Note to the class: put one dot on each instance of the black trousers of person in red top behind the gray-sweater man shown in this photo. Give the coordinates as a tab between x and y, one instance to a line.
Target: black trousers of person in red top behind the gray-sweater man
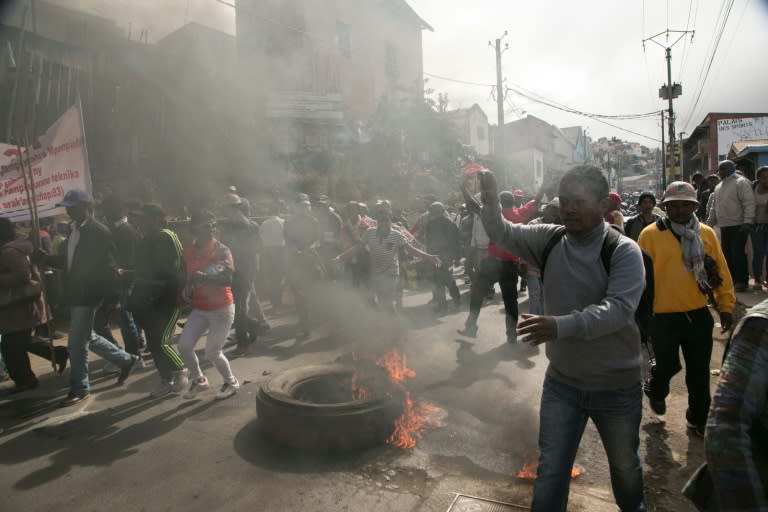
493	270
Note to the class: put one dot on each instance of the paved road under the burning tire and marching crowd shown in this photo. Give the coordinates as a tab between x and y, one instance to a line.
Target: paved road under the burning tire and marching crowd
125	452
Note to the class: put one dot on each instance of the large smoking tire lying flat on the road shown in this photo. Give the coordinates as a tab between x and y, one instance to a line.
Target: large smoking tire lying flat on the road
329	408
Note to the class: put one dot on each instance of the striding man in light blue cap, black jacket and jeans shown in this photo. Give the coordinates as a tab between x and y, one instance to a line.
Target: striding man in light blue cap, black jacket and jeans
90	273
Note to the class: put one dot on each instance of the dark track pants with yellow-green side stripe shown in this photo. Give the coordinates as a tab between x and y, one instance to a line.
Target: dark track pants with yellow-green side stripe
159	326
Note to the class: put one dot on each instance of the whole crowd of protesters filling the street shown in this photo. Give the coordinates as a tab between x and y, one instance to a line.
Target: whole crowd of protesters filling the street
586	267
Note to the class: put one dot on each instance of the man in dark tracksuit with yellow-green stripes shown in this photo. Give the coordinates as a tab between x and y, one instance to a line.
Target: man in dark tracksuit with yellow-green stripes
158	282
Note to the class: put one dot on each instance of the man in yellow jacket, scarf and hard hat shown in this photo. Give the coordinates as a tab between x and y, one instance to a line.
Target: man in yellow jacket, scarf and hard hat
683	251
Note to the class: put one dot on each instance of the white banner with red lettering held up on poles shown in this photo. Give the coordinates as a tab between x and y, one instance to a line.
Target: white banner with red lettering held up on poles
59	162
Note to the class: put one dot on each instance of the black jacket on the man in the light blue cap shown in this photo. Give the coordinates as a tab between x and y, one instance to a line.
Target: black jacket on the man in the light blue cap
93	273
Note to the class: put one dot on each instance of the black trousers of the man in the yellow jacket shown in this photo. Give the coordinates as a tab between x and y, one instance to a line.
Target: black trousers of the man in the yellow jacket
691	332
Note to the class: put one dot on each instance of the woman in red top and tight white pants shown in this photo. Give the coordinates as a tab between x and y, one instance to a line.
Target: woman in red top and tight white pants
209	276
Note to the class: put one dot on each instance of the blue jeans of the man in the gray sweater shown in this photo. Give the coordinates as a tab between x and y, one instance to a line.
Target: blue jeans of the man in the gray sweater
563	416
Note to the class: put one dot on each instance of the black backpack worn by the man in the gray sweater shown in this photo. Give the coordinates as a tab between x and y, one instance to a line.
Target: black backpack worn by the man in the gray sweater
644	311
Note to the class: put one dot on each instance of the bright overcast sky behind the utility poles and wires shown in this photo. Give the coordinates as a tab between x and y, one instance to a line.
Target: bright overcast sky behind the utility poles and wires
588	55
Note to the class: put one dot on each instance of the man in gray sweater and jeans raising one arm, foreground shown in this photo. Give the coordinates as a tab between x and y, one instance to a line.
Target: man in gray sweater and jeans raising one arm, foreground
592	341
